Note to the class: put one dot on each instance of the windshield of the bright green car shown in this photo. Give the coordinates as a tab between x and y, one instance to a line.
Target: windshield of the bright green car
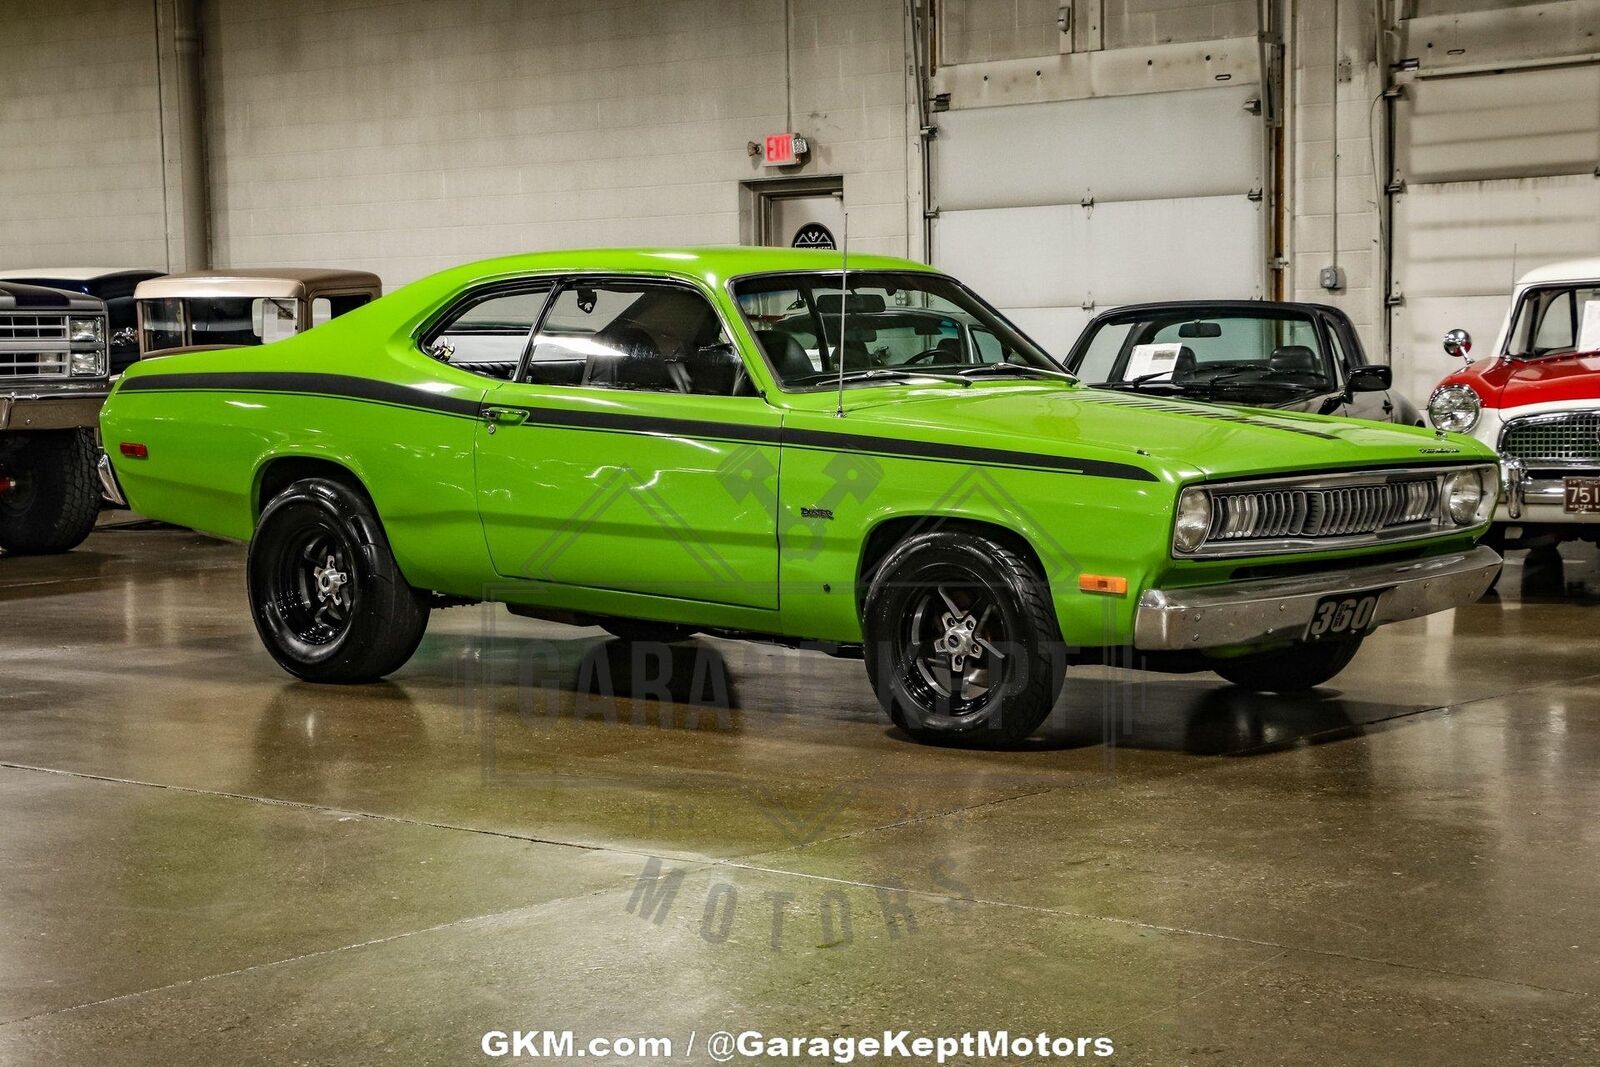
890	327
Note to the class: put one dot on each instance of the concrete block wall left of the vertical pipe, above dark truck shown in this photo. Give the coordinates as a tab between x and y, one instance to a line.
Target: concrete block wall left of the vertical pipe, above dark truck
81	143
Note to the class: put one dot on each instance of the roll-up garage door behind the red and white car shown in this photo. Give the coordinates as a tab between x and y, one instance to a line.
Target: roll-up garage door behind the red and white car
1497	175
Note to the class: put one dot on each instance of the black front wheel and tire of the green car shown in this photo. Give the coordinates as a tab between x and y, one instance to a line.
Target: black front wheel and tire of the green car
962	641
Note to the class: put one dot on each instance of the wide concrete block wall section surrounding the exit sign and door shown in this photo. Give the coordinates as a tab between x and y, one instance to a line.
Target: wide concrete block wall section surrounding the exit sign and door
415	135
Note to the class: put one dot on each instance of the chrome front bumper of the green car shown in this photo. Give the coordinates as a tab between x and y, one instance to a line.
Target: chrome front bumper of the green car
1281	609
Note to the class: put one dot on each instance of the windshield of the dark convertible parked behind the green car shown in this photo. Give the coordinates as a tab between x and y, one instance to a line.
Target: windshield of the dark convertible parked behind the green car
1188	351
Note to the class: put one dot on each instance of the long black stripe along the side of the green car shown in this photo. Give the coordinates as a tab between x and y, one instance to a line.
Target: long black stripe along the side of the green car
348	388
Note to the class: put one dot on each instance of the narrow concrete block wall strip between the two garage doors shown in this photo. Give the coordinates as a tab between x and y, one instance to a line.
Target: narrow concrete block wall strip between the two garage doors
1337	134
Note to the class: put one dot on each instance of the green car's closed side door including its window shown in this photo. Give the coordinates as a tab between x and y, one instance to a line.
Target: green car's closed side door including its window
631	454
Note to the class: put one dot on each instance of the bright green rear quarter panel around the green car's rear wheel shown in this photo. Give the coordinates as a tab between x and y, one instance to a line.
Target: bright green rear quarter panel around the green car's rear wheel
210	446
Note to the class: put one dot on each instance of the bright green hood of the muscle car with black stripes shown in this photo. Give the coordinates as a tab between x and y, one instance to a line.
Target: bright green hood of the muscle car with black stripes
1180	438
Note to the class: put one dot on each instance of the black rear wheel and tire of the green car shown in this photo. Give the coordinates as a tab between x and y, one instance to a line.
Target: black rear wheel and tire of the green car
326	593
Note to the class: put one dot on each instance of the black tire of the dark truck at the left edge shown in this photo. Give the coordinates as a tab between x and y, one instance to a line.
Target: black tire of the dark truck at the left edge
54	497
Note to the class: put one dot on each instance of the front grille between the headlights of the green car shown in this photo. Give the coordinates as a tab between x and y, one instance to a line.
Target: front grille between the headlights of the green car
1322	513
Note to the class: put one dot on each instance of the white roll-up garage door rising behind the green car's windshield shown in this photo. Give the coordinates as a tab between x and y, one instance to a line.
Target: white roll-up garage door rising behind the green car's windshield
1060	210
